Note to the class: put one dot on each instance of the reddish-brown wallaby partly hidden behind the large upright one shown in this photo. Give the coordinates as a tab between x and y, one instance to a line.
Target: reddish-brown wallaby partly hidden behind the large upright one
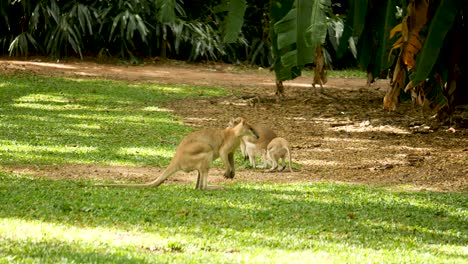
252	147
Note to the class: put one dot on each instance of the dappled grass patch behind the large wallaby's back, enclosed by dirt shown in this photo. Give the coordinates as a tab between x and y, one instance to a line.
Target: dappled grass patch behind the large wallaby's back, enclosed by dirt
60	120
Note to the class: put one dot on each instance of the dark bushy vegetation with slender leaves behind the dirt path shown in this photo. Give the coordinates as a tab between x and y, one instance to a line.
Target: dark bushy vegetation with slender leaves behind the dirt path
130	29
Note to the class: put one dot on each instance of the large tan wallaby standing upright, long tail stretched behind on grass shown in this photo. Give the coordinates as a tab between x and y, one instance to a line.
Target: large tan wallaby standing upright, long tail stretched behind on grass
197	151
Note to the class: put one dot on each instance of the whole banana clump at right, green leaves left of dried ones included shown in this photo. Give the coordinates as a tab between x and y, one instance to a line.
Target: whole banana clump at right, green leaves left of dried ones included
418	43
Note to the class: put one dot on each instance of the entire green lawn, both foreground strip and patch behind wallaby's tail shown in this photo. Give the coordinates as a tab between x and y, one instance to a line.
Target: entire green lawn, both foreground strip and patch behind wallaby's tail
47	120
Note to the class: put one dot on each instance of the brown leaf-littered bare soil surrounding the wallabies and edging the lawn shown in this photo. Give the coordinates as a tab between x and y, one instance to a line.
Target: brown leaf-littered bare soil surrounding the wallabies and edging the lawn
341	134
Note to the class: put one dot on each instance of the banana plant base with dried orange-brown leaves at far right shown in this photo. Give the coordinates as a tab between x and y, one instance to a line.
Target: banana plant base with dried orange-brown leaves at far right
430	45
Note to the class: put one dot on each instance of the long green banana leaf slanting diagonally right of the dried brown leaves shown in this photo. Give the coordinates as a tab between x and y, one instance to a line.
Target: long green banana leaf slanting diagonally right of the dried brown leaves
440	25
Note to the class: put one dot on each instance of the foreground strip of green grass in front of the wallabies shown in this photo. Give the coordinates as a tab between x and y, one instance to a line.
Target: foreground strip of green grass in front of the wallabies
50	221
